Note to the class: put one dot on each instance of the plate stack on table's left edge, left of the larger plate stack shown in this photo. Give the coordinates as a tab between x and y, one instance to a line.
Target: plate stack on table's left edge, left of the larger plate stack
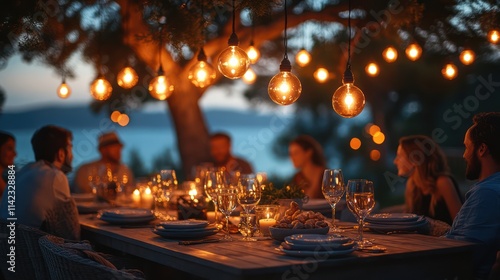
126	215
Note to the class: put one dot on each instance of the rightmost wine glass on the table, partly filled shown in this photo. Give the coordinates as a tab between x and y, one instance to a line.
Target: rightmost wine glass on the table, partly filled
360	196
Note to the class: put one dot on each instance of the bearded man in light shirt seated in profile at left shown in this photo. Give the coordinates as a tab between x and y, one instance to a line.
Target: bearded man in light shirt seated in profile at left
42	189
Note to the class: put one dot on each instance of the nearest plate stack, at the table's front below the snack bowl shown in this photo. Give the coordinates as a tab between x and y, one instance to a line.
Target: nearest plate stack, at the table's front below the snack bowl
314	245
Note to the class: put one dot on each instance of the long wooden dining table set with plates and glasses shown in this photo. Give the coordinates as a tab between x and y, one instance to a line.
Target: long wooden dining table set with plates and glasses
408	256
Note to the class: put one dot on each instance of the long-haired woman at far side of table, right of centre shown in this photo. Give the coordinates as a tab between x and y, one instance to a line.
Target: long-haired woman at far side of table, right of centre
307	156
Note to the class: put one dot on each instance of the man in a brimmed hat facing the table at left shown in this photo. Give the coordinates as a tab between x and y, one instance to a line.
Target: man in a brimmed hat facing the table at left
110	148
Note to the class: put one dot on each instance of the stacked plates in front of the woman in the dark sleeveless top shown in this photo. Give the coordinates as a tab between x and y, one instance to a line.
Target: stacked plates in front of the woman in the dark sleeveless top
387	222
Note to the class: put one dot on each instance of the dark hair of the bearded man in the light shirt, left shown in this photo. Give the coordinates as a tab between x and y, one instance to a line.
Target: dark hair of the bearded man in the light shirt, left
47	141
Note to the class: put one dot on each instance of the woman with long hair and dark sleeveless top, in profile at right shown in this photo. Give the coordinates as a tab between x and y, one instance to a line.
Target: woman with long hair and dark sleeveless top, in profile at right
430	190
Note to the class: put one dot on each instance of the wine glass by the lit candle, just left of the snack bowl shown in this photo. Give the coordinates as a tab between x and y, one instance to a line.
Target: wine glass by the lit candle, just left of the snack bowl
249	194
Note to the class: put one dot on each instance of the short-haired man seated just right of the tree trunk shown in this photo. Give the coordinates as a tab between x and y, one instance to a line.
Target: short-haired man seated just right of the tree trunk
220	151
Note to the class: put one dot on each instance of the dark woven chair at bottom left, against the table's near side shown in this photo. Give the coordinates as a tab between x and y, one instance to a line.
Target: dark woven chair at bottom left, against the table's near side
66	263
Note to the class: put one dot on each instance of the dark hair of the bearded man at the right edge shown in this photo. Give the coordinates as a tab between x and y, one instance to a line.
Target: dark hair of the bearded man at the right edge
486	129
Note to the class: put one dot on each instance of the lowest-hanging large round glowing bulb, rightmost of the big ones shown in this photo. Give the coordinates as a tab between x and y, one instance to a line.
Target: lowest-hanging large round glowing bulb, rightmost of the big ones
348	100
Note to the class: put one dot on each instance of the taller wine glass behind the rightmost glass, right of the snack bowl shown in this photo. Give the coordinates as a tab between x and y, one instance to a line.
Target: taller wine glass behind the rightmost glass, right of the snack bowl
333	189
